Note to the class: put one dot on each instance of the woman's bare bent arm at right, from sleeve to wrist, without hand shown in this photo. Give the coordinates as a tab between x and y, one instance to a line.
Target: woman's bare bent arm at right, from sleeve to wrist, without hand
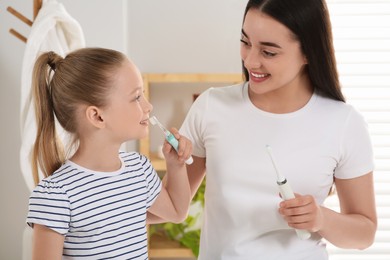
355	226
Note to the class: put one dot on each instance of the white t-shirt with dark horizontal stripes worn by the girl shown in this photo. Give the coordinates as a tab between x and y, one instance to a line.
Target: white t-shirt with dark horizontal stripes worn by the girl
102	215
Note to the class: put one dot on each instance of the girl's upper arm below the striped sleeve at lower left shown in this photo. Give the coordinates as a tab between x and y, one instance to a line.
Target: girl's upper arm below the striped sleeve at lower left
47	244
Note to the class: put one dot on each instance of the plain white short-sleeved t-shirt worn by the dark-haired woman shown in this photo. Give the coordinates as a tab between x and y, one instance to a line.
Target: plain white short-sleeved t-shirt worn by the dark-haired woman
325	138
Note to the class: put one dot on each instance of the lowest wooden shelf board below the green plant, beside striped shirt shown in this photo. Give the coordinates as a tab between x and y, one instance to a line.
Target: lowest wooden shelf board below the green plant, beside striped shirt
163	247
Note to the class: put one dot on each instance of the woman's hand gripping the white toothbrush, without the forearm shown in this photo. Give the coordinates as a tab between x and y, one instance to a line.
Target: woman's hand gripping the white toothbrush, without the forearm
302	212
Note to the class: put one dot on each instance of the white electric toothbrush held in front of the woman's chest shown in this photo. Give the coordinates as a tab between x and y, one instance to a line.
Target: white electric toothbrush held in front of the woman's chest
286	191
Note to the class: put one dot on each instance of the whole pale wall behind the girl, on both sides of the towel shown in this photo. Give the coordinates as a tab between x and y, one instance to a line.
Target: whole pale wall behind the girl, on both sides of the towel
159	36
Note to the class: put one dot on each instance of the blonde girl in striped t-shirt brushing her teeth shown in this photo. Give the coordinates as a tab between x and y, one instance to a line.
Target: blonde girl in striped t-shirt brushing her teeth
94	203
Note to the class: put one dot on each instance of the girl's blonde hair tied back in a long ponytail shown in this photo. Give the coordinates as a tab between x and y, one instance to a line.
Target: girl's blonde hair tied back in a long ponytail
59	86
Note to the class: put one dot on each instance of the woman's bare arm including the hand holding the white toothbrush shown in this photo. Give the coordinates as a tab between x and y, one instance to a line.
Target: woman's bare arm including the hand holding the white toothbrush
354	227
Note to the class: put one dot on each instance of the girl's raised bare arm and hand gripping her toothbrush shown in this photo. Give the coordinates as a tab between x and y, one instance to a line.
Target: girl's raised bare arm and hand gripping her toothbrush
174	199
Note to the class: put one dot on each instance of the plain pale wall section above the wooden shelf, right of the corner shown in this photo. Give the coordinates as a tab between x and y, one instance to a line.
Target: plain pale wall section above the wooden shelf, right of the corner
185	36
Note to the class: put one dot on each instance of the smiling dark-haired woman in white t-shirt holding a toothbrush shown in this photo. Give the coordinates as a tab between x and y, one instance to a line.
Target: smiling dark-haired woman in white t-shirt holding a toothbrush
291	100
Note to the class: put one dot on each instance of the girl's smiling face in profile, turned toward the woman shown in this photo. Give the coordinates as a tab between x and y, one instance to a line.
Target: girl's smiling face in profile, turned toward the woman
128	111
